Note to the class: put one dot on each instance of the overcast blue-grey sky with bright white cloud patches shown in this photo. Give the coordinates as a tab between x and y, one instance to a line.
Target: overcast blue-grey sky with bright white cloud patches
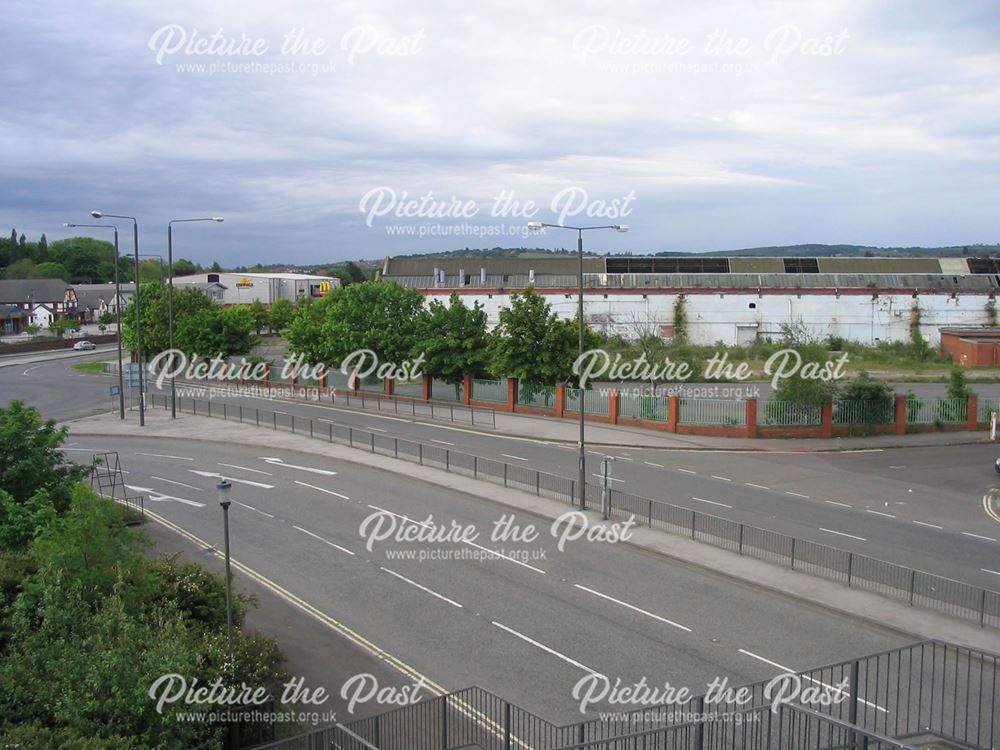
323	131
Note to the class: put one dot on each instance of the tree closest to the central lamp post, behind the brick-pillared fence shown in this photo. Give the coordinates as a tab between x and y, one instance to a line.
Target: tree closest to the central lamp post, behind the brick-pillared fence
534	345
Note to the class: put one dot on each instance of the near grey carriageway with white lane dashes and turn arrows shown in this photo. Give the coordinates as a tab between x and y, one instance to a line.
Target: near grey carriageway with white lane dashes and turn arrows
527	625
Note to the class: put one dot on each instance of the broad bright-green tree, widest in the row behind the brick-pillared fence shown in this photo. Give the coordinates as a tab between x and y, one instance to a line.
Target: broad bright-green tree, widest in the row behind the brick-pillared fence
379	316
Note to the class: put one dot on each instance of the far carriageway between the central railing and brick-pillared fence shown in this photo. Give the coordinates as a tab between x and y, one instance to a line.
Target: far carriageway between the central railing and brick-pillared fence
921	507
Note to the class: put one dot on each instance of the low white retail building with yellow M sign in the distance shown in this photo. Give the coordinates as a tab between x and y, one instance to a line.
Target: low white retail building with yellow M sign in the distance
245	288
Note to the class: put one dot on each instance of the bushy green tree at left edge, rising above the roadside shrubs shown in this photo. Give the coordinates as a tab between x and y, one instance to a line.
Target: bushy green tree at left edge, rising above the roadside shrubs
30	459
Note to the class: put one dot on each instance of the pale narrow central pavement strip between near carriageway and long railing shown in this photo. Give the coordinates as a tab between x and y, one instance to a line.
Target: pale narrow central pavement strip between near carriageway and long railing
757	574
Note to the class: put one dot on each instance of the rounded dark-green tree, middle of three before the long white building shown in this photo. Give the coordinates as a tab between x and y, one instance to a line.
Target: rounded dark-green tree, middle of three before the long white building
453	340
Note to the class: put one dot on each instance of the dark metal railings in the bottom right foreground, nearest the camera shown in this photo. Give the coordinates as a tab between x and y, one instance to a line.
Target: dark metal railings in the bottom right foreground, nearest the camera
901	698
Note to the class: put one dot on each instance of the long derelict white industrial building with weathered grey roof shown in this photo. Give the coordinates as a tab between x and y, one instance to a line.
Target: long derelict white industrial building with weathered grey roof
729	300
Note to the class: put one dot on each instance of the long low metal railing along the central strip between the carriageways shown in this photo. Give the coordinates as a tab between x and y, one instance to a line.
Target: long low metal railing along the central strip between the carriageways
915	587
